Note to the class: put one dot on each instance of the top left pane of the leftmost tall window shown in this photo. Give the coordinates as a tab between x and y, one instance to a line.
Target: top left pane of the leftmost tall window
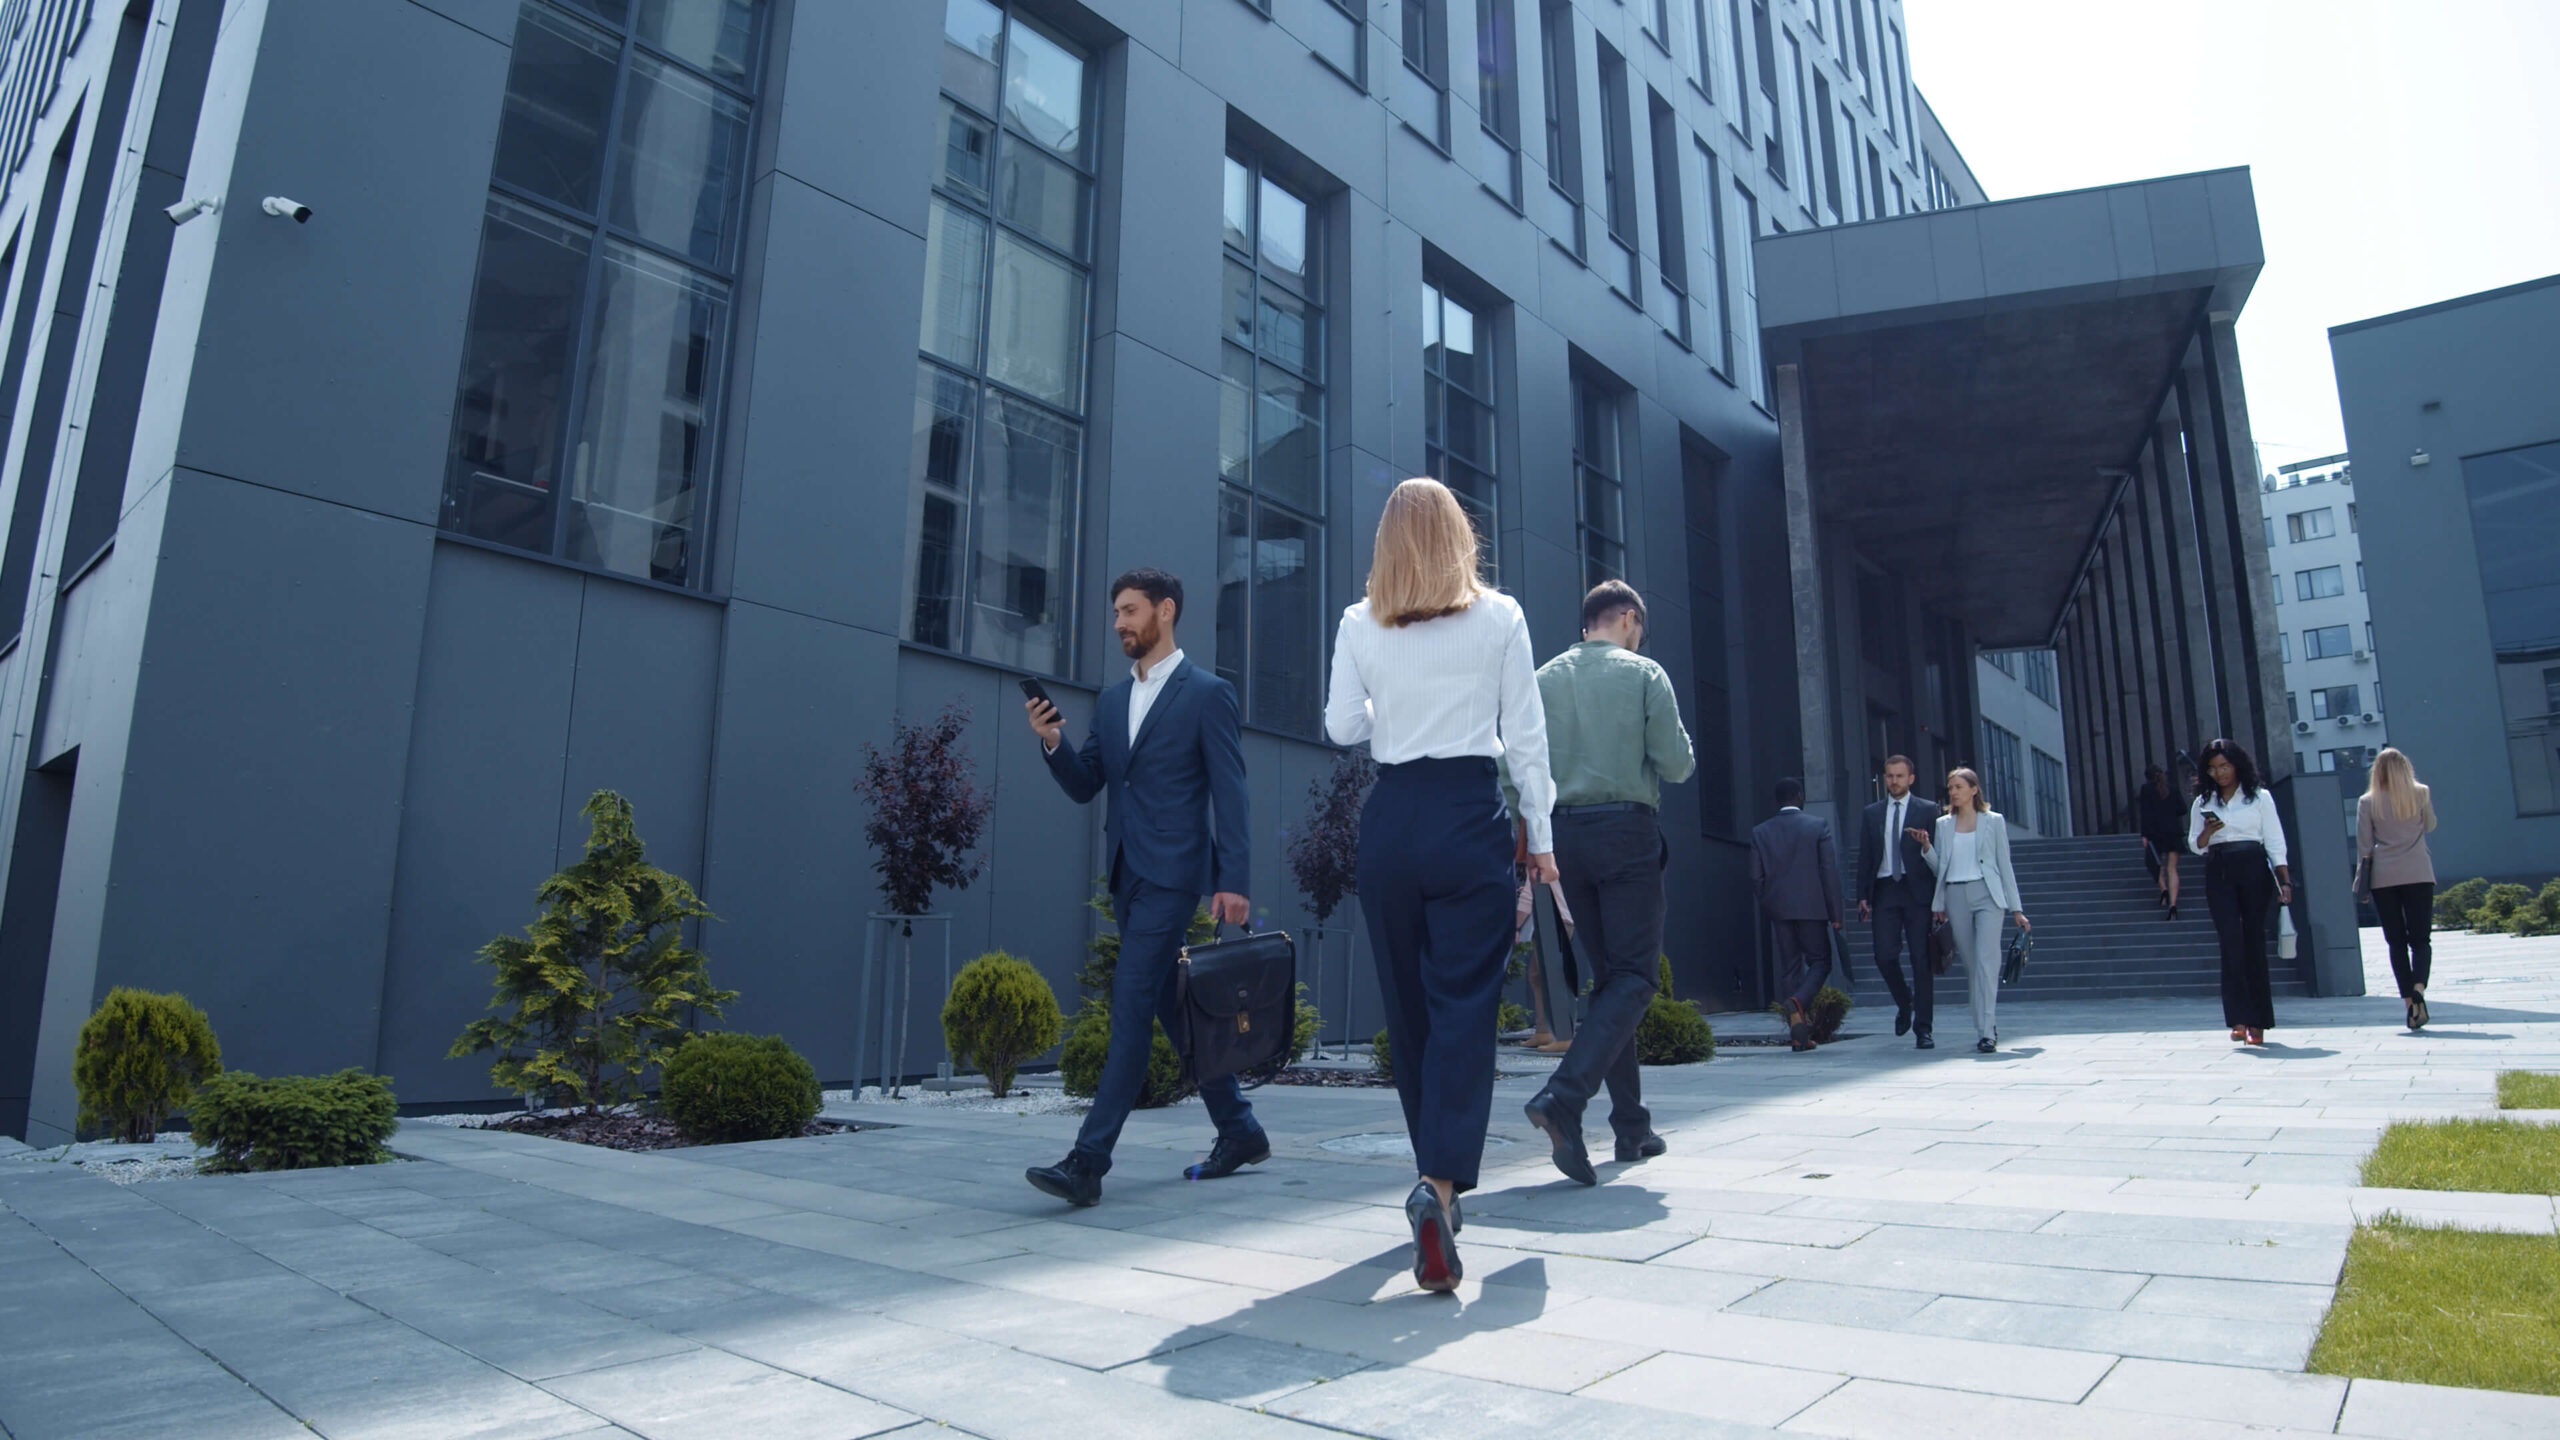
559	96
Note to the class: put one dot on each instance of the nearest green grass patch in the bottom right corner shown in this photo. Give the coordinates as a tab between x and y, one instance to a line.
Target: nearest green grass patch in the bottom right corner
2446	1308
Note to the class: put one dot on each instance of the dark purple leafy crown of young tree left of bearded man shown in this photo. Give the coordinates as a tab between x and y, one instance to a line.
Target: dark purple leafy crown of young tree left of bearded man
925	811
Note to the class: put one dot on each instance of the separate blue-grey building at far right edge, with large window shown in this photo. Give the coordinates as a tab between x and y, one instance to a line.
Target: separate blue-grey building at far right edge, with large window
2454	427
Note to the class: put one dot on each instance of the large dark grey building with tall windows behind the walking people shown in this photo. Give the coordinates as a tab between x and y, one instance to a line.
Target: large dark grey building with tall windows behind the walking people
667	396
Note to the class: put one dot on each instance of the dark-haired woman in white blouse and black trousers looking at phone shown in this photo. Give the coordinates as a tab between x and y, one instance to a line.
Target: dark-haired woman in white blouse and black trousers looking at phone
2236	829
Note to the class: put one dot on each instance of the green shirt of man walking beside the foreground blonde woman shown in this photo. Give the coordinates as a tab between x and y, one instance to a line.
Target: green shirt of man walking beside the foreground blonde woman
1612	726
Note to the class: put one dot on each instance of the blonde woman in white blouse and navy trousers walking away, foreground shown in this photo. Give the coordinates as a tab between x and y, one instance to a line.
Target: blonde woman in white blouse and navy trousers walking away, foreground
1435	673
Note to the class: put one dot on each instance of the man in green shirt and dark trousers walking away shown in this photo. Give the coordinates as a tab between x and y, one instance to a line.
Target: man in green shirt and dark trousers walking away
1612	739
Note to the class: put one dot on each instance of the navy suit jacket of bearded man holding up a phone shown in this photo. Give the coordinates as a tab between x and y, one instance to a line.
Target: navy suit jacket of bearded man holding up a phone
1179	814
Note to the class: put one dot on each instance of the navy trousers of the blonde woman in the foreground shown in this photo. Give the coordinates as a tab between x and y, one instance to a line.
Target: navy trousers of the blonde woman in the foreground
1437	893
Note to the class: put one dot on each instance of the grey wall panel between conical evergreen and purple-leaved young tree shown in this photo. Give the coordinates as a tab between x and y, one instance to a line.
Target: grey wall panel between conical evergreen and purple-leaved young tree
787	867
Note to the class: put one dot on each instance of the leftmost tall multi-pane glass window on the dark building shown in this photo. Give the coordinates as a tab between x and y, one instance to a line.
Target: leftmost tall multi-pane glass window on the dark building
588	416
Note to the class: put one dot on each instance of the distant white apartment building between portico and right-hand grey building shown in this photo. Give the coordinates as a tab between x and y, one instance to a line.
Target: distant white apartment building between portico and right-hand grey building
2333	688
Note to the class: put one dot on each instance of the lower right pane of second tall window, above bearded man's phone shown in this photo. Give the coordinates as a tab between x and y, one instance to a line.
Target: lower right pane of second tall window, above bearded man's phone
1023	537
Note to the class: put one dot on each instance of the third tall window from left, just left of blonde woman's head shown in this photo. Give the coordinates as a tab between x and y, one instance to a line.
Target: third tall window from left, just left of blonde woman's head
1271	452
